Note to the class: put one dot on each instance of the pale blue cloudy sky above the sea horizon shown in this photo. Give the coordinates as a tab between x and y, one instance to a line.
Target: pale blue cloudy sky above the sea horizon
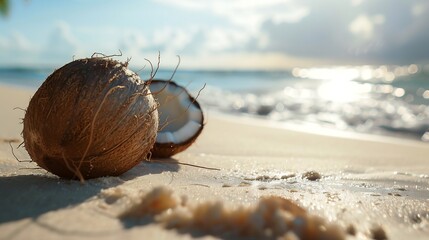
217	34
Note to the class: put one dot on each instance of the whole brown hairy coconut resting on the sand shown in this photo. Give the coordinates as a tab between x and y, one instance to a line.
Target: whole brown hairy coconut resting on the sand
91	118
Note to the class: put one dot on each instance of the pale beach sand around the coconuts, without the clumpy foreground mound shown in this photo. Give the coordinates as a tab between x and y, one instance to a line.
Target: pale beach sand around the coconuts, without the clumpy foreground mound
366	184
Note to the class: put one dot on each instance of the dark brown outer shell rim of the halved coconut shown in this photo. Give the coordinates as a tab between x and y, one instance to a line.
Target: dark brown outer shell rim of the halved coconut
166	150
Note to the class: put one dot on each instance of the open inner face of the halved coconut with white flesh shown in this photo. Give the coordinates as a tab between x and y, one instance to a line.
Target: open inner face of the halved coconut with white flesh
179	118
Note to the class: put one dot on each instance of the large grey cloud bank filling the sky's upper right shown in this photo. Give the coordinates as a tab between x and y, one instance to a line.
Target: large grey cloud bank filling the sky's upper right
352	32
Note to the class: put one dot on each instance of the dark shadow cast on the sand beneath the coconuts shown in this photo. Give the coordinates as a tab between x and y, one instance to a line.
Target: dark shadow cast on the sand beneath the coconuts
29	196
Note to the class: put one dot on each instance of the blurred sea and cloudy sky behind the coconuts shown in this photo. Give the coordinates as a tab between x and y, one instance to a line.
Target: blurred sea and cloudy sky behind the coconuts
353	65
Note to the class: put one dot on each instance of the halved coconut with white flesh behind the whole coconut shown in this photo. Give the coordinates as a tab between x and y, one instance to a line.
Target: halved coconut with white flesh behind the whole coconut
181	119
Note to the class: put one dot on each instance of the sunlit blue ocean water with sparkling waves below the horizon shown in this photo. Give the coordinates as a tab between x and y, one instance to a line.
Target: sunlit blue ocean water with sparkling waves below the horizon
380	100
